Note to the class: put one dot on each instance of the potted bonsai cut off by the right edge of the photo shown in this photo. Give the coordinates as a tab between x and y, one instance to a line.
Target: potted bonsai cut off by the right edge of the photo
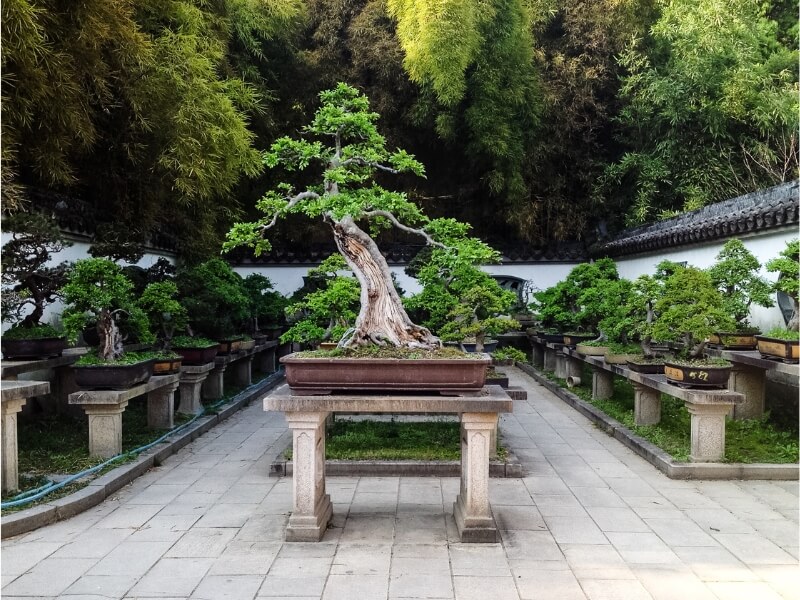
784	342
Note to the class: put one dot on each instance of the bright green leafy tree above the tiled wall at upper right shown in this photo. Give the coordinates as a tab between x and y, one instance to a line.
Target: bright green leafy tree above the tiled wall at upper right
710	107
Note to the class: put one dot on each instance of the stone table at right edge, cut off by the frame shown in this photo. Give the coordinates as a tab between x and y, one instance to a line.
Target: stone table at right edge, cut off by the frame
749	377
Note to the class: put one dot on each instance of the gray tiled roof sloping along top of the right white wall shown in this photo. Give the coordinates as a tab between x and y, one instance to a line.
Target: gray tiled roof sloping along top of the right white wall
755	212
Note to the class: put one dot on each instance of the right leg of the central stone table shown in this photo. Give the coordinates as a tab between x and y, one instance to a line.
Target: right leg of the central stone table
471	510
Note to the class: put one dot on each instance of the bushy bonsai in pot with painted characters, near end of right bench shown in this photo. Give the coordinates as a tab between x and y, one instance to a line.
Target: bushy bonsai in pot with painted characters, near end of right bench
689	310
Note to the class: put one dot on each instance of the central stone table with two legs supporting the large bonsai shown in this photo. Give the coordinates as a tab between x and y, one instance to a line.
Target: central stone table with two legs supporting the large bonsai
306	415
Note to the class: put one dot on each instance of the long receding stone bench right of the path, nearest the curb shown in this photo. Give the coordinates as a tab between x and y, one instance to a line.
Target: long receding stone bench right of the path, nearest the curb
707	408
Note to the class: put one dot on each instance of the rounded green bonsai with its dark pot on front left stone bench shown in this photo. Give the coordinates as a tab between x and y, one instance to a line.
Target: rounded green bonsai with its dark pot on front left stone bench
98	291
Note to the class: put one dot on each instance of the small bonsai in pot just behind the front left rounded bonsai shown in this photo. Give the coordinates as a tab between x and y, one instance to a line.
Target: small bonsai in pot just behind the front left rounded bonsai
165	315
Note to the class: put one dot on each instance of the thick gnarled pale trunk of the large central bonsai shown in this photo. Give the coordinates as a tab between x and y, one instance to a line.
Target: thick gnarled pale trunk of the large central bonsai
382	319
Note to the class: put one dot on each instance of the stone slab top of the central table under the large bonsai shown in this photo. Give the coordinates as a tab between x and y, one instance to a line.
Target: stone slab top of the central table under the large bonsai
493	399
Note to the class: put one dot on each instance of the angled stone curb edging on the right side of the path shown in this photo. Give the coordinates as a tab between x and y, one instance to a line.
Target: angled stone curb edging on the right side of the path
655	455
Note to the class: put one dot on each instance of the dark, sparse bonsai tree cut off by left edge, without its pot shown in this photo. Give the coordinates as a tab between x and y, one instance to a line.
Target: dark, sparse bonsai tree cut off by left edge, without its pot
29	283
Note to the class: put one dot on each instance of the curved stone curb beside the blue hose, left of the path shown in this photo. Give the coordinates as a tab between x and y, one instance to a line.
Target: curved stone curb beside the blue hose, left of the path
104	486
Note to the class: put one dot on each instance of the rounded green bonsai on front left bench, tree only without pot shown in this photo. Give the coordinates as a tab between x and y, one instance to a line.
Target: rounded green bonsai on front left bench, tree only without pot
98	291
